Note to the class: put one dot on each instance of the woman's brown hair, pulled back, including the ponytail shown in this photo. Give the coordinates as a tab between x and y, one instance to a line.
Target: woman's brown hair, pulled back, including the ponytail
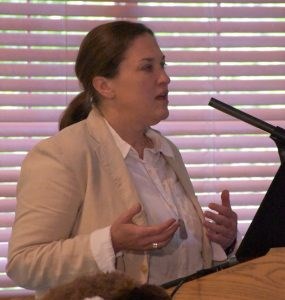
100	54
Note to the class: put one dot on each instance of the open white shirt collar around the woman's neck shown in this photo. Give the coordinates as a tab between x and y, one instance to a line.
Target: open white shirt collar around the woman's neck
160	144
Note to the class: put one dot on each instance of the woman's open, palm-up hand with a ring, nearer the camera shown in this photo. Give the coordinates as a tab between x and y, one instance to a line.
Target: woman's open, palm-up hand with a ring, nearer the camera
126	235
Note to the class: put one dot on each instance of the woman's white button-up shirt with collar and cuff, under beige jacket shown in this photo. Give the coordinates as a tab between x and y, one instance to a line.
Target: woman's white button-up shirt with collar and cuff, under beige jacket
162	197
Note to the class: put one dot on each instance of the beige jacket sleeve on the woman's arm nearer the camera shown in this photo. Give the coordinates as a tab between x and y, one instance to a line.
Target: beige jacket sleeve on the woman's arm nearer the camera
42	250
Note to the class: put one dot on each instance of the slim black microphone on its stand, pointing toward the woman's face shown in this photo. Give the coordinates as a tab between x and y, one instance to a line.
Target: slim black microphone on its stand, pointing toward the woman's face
277	134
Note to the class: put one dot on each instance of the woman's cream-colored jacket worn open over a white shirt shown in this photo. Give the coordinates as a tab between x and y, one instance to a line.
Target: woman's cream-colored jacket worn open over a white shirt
70	185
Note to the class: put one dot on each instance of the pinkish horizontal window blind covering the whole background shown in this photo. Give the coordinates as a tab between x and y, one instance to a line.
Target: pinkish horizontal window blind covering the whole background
231	50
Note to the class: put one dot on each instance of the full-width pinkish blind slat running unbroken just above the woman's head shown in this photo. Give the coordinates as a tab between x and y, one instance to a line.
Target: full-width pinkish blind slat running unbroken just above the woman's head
136	11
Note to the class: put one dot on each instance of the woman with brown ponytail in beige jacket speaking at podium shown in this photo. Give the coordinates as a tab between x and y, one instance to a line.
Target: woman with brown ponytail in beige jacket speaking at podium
108	192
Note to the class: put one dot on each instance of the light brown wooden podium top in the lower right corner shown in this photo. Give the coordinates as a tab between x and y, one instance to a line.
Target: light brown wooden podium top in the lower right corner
262	278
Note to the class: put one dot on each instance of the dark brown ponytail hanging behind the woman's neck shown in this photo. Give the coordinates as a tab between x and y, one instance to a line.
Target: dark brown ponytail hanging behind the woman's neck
77	110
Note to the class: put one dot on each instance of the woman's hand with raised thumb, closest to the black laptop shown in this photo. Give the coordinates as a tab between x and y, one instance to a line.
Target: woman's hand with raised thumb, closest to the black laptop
221	225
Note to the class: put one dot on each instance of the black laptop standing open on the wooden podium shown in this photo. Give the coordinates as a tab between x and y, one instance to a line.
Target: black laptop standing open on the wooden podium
266	231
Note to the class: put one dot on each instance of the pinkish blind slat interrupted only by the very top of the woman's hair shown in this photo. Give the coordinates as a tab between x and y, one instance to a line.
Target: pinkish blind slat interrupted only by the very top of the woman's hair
158	26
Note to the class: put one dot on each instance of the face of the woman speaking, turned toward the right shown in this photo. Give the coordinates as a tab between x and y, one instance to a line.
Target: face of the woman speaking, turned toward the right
140	88
